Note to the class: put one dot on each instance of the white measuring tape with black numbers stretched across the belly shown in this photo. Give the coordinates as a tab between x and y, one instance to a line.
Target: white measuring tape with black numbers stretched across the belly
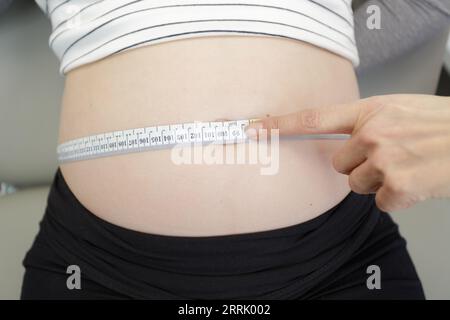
159	137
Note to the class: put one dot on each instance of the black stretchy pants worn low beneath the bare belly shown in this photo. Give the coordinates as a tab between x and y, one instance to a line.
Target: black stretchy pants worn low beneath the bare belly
324	258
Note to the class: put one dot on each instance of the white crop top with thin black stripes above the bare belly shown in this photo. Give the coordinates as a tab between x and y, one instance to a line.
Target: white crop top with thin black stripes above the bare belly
88	30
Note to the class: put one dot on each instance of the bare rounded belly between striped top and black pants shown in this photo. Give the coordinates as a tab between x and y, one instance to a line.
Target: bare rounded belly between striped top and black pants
204	79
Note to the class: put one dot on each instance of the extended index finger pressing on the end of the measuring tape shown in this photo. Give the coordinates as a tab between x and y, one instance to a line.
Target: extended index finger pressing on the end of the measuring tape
335	119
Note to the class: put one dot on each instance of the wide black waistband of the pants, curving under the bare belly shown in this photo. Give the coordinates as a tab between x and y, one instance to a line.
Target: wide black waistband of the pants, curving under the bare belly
275	264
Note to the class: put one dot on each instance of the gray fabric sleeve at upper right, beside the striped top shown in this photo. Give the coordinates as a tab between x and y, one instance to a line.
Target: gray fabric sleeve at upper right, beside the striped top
405	25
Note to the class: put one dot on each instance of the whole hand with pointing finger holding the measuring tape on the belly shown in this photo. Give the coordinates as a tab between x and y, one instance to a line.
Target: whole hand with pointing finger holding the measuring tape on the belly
399	146
